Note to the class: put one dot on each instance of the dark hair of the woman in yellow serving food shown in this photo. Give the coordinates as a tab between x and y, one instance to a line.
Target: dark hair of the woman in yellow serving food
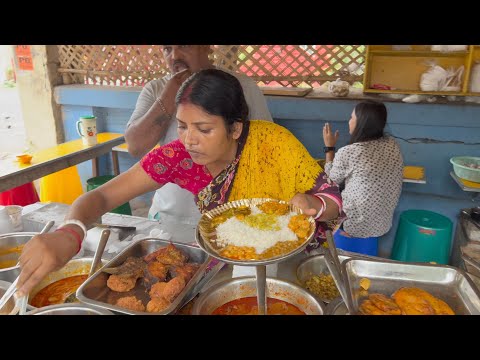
217	93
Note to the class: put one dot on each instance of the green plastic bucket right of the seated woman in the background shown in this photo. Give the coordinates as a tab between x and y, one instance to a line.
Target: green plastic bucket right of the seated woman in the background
423	236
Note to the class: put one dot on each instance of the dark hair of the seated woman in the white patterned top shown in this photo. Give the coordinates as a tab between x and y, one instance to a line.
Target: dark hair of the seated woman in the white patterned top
371	119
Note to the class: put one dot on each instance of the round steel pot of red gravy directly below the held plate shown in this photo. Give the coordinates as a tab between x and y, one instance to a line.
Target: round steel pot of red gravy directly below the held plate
238	297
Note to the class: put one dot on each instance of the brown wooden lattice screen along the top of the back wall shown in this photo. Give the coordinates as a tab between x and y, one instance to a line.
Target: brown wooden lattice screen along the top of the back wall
270	65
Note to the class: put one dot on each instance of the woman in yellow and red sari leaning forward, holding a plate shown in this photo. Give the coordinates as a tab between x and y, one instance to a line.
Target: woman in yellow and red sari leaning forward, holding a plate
219	157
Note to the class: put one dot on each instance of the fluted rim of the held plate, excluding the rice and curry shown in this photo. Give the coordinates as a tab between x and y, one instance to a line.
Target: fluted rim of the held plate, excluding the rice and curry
206	234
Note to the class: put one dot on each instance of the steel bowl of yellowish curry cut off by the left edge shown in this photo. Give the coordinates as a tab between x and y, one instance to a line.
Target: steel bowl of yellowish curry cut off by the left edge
11	245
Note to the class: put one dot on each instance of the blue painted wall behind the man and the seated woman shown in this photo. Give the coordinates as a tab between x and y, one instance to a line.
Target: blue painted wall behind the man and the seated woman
305	118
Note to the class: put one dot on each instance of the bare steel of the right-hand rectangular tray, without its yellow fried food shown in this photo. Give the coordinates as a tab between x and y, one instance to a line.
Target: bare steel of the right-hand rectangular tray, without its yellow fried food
448	283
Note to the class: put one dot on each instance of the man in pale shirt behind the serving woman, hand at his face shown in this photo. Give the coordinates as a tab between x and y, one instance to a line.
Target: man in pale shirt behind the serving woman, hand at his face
152	123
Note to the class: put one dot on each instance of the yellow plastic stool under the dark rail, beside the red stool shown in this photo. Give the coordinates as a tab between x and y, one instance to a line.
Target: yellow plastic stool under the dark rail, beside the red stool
64	186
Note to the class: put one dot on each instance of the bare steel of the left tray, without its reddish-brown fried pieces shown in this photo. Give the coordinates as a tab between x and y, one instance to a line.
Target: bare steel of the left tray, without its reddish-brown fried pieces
94	291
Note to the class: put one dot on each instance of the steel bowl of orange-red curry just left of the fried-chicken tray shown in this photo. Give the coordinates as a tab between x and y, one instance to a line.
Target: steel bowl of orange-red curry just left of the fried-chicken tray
57	286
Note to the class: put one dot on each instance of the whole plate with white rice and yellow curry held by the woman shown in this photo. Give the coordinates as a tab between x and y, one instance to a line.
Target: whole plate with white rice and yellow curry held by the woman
253	232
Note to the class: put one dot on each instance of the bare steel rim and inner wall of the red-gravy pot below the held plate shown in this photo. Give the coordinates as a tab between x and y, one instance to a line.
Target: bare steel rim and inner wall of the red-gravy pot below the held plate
242	287
